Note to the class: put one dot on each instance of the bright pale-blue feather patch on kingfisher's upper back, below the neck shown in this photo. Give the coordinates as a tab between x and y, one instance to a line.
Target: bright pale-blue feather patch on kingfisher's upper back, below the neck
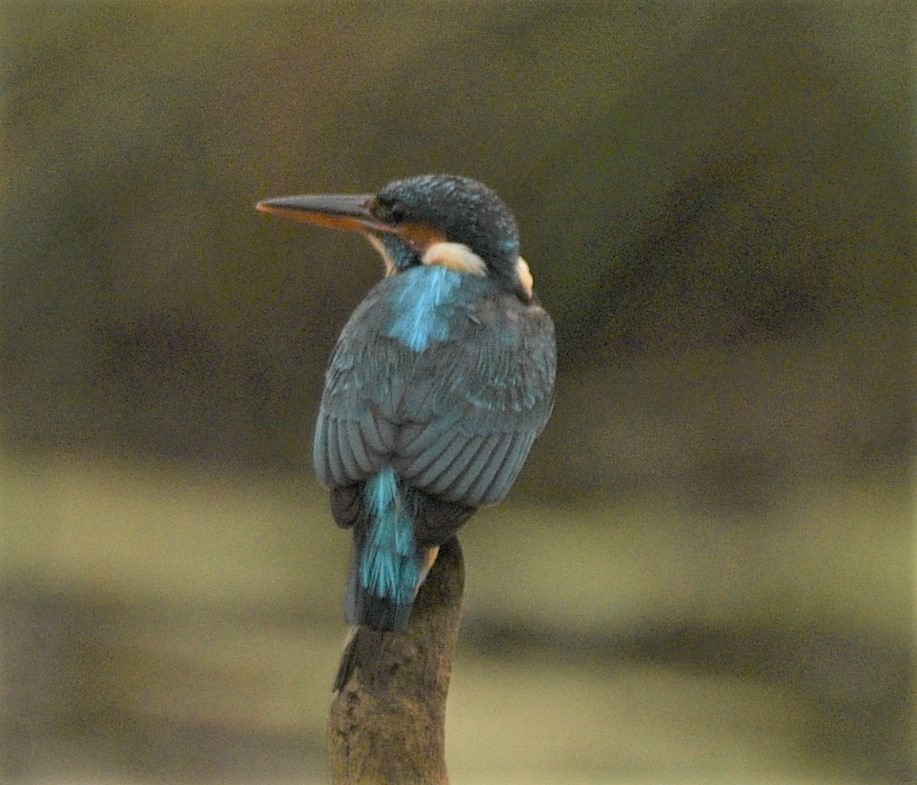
419	318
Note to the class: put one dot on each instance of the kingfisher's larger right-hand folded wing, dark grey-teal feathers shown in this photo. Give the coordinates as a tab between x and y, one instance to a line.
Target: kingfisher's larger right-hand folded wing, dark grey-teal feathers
471	414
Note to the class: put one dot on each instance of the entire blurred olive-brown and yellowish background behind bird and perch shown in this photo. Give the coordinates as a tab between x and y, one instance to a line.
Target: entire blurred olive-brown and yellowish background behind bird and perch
705	574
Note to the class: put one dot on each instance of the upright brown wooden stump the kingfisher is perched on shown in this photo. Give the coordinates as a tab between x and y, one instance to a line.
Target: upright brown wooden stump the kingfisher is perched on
387	720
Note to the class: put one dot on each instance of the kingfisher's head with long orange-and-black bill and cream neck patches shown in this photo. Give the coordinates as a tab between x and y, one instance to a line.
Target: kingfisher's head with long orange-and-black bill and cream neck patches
431	219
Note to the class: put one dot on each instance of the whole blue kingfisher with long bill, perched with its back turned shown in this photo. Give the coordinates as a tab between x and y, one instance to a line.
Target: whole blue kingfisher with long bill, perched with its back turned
438	385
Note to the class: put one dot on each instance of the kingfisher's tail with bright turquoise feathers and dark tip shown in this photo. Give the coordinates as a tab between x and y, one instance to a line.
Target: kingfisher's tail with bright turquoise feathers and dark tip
386	565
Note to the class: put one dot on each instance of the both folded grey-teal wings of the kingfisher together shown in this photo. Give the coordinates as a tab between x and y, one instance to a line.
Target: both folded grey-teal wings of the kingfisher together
456	420
